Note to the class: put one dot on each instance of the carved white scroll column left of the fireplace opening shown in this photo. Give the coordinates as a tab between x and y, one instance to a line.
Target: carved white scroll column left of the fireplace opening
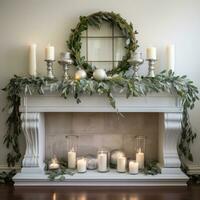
33	126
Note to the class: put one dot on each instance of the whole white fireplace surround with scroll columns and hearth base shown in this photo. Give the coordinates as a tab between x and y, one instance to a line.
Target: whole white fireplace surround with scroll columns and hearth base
170	113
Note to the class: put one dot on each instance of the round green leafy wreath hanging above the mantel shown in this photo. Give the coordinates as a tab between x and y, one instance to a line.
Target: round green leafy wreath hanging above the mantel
96	19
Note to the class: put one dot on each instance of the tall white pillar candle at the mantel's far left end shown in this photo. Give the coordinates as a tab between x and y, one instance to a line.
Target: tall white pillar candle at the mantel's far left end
32	59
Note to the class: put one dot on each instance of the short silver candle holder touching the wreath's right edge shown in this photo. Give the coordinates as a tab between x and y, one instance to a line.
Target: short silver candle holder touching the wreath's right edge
135	61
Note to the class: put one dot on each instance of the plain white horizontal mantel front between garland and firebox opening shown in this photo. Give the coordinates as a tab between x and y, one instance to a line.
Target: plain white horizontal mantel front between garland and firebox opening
152	103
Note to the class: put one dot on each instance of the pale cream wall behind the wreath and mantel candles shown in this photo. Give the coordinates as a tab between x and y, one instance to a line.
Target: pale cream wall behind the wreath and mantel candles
158	22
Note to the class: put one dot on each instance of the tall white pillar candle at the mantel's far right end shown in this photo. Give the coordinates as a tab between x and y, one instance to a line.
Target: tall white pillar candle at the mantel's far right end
170	51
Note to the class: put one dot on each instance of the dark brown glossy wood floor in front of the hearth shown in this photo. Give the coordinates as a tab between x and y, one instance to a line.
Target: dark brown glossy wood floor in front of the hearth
101	193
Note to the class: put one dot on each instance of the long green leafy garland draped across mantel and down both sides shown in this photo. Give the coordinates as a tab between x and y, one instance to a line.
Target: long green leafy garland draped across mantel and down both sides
162	82
